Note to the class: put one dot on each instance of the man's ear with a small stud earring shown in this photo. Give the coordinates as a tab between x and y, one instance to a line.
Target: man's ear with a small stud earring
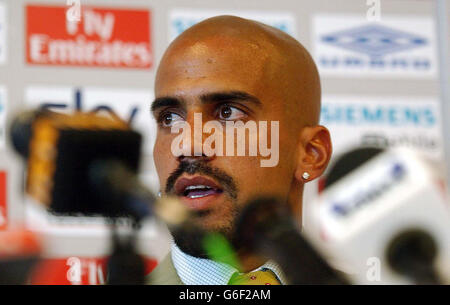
314	152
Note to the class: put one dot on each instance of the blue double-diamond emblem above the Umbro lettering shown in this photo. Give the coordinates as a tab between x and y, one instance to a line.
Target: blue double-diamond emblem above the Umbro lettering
374	40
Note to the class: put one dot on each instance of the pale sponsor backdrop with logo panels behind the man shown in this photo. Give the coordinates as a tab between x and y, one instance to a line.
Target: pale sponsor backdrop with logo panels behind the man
379	82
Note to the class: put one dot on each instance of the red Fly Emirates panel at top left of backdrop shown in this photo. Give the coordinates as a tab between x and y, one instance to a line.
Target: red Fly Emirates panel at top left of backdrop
104	37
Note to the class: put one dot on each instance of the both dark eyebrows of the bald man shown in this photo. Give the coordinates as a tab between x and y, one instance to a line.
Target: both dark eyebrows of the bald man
214	97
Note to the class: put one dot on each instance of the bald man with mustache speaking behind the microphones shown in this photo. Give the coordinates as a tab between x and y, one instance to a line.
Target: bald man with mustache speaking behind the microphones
231	69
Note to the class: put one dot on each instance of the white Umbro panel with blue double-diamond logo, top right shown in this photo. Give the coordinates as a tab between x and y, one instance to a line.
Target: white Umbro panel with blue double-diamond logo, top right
375	47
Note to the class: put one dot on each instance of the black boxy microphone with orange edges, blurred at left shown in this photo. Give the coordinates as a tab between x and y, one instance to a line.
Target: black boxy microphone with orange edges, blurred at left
60	151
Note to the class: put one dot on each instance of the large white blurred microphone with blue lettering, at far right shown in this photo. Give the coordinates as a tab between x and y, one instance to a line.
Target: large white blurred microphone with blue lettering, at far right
384	218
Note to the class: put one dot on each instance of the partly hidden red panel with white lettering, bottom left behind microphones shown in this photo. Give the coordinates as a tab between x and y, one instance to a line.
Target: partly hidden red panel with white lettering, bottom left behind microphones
76	271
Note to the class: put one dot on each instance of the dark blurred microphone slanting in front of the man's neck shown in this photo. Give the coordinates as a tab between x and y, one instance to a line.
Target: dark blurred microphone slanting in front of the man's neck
265	227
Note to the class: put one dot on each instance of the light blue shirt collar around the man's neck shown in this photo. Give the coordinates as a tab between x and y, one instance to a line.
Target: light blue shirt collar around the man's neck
200	271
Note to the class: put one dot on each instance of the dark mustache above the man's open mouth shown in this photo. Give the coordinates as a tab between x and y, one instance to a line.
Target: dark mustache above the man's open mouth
200	167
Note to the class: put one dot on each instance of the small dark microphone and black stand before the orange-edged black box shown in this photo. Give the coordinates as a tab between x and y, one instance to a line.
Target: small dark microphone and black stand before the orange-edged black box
127	197
